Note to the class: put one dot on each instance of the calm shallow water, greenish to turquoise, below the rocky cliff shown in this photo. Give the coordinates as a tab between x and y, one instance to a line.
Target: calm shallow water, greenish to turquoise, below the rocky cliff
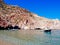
31	37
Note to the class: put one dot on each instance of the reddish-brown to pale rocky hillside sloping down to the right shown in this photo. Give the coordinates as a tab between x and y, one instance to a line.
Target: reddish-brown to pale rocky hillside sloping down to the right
16	16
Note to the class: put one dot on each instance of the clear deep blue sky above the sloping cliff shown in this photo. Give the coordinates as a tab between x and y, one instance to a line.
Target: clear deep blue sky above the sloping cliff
45	8
